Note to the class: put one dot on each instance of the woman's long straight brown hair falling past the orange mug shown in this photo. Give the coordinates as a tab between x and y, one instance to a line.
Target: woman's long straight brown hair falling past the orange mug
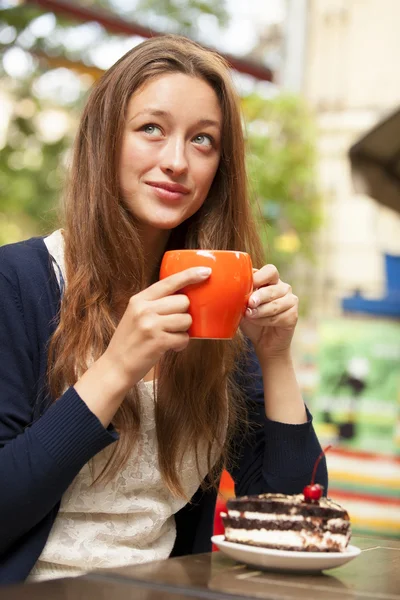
197	399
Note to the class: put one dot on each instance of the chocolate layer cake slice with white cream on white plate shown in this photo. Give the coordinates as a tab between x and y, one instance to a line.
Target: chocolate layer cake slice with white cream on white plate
285	522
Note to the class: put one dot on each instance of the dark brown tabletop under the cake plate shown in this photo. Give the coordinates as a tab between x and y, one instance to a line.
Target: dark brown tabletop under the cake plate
373	575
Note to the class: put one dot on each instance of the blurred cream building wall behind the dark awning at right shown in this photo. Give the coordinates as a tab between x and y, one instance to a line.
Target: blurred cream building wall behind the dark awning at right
343	57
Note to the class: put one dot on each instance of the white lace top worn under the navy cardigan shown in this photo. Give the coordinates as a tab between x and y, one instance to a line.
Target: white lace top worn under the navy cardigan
129	520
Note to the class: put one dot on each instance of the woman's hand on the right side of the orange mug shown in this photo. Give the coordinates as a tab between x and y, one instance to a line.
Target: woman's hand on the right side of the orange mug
272	314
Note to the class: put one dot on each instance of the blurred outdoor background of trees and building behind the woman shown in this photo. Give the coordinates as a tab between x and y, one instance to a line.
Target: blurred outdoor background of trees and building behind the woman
320	88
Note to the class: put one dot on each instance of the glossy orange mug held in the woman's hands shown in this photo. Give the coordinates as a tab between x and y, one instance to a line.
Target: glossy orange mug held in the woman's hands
218	304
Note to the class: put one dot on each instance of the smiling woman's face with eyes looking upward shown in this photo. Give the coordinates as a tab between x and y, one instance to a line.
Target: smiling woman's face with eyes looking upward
170	149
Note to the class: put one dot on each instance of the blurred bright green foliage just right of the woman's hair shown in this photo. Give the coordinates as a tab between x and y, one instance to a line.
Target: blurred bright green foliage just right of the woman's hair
282	175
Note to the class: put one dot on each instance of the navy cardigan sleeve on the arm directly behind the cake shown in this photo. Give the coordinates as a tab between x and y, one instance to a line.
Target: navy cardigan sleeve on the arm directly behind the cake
272	456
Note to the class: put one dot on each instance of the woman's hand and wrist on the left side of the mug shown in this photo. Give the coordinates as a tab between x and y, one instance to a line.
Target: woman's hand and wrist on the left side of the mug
155	320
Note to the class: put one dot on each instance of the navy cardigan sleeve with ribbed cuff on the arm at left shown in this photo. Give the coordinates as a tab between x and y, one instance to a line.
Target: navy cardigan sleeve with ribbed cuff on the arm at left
38	460
